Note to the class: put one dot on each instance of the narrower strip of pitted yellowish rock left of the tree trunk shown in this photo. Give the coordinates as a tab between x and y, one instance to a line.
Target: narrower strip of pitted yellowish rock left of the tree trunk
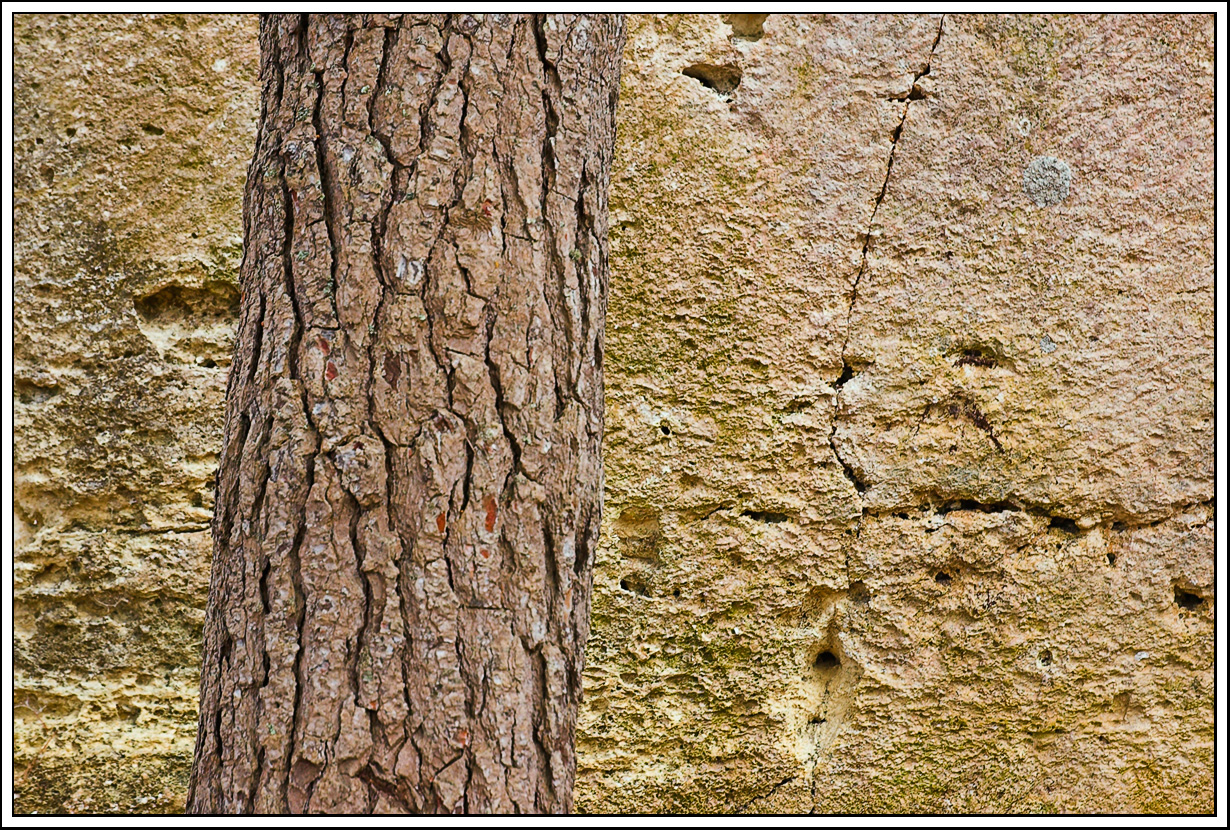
132	137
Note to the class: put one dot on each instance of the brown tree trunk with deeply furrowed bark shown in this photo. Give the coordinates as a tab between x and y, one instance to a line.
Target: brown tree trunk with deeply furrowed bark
410	488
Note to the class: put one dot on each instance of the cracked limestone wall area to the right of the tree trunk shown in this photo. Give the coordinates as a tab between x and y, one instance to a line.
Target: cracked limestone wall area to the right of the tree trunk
910	436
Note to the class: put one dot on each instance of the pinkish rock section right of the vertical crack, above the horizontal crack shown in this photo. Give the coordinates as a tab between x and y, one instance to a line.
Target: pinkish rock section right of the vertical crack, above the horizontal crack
1114	421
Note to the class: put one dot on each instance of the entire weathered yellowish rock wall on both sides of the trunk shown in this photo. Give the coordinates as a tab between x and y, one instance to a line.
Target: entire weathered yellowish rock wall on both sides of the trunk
910	472
